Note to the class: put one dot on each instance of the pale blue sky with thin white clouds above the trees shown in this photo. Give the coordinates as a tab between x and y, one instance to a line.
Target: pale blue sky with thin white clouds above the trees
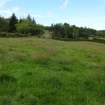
85	13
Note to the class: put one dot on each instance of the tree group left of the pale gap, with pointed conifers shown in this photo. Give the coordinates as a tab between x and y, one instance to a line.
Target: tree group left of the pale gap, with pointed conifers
24	26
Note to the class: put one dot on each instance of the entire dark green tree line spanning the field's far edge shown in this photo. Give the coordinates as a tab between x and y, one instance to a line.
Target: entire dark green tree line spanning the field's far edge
28	27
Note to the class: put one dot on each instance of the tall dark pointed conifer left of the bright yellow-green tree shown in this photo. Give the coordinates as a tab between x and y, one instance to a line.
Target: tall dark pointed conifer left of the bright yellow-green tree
12	23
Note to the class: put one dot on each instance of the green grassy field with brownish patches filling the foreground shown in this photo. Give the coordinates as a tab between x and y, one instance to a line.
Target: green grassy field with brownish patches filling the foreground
48	72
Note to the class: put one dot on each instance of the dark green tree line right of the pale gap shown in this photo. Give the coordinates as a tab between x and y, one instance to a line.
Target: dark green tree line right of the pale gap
68	31
